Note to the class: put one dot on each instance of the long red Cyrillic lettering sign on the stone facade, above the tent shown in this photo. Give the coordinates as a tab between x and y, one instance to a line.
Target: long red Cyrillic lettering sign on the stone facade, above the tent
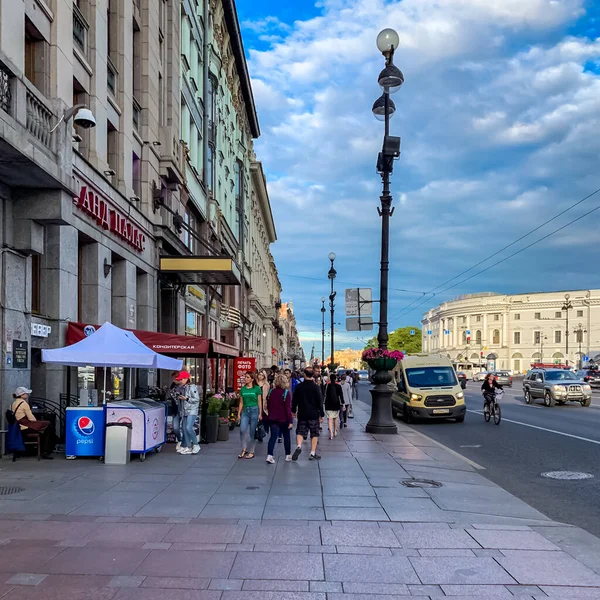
92	202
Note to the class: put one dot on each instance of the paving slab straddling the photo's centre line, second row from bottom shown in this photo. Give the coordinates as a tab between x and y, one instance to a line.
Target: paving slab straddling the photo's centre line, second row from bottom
269	565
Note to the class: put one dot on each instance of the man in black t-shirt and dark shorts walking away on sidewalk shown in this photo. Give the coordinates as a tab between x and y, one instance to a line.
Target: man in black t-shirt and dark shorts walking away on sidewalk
307	405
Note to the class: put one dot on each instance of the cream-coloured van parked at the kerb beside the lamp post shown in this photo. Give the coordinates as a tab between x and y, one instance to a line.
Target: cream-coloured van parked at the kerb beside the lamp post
428	389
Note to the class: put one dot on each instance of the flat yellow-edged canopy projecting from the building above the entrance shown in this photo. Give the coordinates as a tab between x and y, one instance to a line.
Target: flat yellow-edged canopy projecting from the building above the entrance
216	270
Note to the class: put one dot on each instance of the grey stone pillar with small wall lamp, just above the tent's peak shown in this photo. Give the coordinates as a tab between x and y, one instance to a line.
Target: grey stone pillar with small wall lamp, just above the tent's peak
95	287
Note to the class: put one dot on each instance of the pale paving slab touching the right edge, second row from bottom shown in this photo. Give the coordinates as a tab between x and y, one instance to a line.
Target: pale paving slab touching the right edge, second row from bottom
531	567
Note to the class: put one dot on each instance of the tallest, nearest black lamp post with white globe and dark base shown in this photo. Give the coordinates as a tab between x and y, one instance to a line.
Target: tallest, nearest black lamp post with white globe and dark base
390	80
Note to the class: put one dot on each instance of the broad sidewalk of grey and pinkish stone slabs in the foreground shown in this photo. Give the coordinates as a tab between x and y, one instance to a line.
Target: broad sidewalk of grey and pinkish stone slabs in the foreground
212	527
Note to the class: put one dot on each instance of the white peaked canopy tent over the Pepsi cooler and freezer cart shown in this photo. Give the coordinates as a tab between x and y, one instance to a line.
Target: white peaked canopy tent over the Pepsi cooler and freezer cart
110	346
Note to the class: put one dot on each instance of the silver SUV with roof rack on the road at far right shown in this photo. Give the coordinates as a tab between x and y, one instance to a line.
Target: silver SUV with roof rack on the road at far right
556	386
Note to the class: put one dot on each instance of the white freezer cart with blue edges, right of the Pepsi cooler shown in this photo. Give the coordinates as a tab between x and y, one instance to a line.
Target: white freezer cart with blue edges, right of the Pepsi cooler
148	423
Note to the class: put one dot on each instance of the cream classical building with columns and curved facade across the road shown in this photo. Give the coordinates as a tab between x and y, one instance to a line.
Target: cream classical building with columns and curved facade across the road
497	331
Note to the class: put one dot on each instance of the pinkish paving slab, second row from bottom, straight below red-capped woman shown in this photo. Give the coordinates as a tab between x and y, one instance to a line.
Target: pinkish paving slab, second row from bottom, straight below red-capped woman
176	563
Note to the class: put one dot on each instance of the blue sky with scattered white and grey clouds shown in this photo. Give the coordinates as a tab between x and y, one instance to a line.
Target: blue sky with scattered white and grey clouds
499	118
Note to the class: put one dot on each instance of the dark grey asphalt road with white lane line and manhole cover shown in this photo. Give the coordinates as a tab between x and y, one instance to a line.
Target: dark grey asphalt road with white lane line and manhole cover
529	441
